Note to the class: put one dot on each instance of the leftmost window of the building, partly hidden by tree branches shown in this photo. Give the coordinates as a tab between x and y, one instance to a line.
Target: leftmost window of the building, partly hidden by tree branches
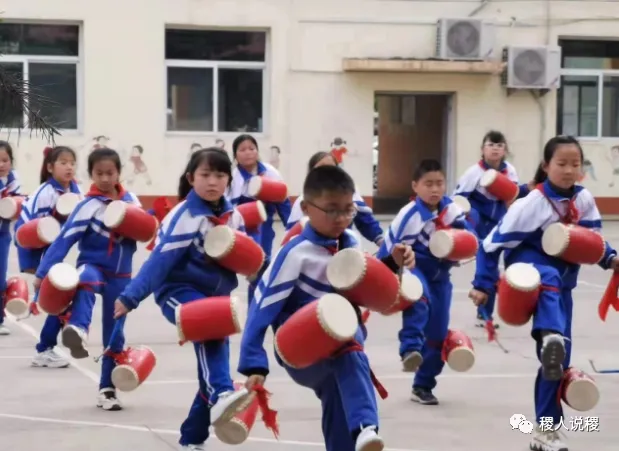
46	57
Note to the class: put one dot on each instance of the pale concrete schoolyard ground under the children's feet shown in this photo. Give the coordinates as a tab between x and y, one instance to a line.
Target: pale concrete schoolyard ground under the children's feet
54	410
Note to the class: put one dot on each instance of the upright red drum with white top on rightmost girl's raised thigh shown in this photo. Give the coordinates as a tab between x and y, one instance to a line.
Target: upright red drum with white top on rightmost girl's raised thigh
517	293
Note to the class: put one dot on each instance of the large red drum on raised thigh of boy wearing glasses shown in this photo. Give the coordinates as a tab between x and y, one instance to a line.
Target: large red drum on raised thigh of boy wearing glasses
316	331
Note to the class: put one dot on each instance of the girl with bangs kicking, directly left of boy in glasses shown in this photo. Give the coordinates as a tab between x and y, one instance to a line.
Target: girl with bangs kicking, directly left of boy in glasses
178	273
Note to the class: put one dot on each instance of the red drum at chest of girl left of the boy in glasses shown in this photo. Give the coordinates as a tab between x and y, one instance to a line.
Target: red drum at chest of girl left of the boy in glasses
234	250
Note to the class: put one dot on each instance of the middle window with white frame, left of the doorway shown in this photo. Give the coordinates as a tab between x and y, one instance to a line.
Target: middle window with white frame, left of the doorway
215	80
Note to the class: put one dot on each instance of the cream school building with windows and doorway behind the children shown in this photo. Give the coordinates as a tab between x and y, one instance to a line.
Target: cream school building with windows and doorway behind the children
389	82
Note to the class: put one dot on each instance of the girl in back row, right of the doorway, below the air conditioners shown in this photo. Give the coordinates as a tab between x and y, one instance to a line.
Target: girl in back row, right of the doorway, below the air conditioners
486	209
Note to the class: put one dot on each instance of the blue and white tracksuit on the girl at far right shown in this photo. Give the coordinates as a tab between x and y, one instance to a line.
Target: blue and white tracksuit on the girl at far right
519	233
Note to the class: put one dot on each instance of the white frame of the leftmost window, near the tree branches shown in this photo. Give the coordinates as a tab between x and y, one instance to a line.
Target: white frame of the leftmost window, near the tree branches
25	60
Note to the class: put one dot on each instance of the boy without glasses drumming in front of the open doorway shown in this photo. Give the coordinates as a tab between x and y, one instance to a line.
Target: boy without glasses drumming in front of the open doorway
414	225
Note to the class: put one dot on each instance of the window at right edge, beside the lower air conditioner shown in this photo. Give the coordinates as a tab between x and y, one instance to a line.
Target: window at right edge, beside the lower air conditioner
588	100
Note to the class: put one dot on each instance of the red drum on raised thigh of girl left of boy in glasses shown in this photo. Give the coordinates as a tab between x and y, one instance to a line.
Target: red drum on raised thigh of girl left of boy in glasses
209	319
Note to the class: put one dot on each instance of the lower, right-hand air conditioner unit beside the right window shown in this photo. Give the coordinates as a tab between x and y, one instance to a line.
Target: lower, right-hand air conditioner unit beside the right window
532	67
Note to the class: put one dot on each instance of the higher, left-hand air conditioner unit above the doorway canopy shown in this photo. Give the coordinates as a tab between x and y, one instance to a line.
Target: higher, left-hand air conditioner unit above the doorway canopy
464	39
